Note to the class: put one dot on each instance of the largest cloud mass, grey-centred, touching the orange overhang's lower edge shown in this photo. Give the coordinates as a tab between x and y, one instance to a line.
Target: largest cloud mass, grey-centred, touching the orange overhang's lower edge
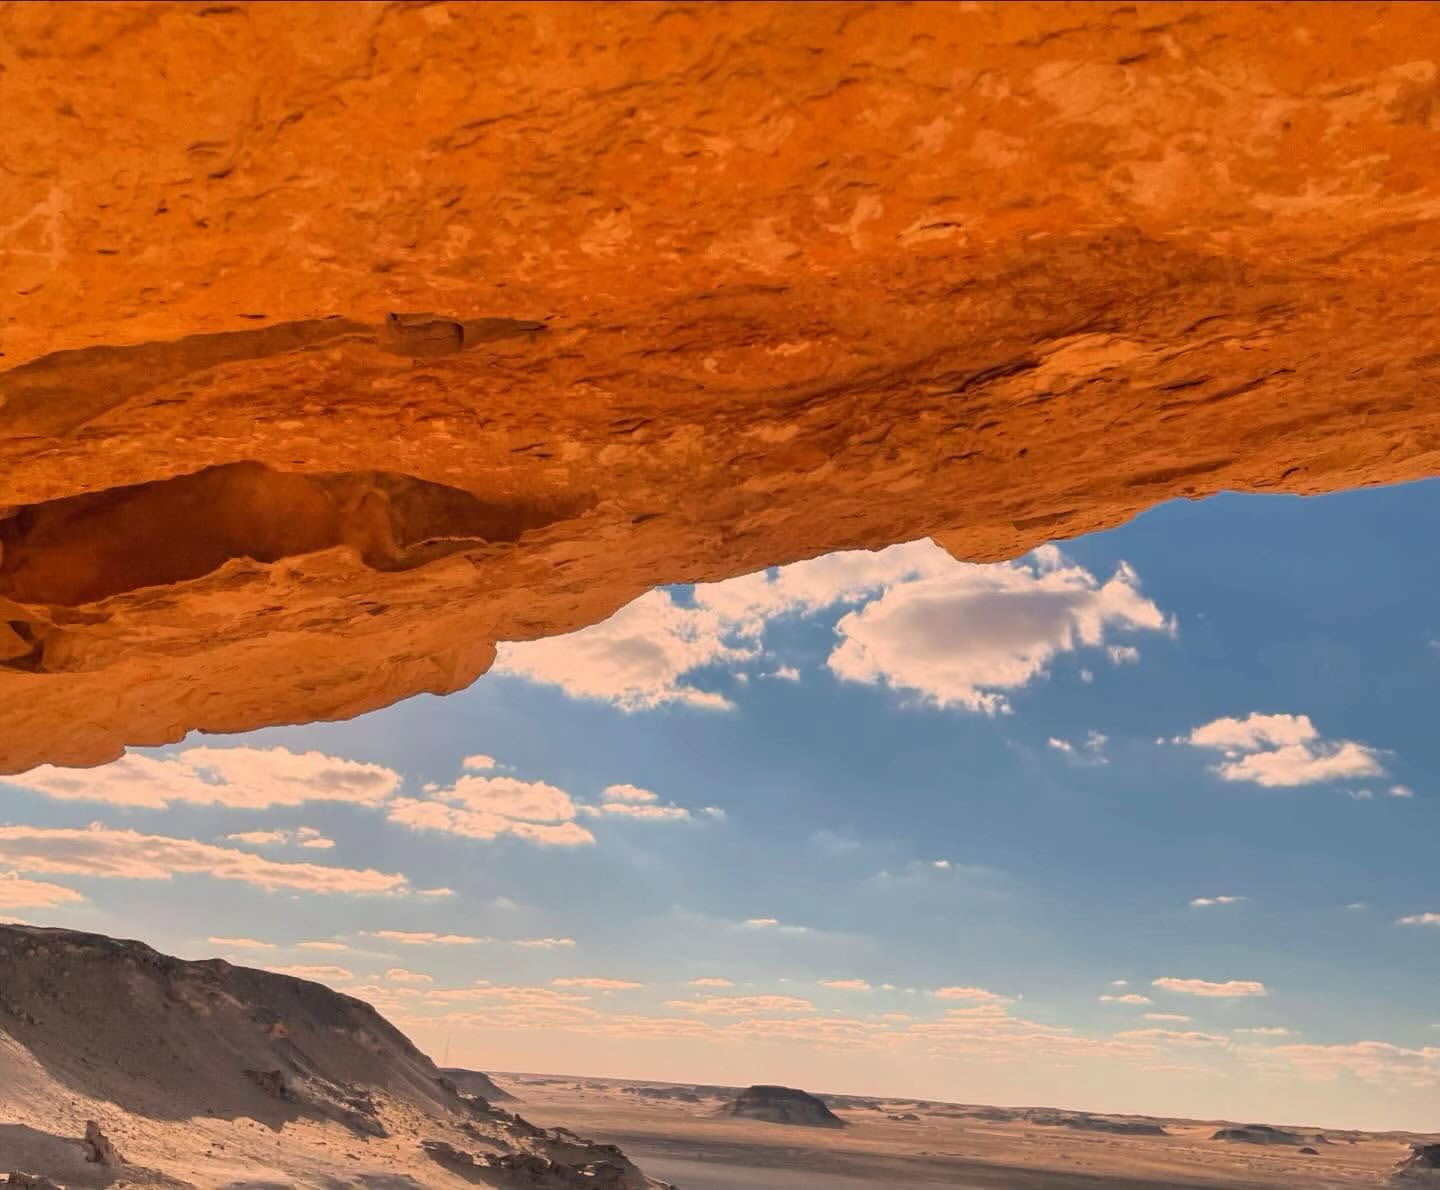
953	633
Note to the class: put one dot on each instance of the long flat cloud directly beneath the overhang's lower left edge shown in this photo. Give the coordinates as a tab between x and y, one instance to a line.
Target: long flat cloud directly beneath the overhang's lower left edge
251	779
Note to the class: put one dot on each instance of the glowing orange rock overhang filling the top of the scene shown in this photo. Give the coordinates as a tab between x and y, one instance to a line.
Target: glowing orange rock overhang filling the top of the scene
341	342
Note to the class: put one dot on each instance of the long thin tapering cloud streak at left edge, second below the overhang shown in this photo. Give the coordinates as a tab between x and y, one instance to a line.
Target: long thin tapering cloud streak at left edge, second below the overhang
129	855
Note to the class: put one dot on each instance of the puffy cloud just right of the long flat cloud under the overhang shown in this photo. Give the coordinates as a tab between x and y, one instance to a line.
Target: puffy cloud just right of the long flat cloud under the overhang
487	807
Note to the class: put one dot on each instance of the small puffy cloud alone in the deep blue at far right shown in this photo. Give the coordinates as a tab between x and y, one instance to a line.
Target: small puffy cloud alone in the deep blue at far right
1282	751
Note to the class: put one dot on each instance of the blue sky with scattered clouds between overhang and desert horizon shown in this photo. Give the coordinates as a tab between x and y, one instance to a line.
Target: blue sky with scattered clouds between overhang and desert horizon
919	828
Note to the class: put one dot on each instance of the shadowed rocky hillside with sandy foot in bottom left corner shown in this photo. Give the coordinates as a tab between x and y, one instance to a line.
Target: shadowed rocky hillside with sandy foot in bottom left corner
210	1075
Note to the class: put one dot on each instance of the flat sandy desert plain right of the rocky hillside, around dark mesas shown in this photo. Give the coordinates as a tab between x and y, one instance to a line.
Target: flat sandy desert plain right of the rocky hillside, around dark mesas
693	1147
